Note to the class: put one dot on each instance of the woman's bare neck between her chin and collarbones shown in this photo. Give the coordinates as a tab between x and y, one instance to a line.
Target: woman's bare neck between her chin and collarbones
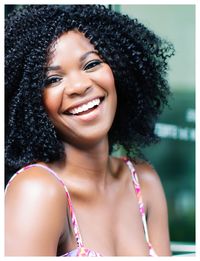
90	164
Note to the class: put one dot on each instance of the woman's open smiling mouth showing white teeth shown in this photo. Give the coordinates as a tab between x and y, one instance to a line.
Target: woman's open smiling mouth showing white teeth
85	108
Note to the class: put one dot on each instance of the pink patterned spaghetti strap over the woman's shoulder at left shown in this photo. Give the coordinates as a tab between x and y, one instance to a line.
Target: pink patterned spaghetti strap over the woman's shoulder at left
71	209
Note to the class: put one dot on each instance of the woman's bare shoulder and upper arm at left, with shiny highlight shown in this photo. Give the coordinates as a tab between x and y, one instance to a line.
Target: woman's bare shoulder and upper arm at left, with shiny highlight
35	214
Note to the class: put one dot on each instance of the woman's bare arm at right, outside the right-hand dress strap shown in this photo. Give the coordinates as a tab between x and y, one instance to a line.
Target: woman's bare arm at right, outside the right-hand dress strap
156	209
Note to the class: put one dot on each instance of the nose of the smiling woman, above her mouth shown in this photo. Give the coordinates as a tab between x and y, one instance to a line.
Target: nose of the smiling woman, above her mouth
77	83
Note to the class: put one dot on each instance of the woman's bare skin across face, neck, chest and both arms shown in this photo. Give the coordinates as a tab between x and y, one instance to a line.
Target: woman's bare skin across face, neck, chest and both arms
100	186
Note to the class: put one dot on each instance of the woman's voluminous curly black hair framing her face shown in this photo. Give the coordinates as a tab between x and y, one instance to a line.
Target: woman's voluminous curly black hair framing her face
137	57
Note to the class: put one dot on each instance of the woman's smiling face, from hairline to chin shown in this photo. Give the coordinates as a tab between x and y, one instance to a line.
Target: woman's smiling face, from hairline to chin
80	95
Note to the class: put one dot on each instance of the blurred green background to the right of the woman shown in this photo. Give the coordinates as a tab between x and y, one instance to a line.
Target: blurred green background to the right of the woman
174	156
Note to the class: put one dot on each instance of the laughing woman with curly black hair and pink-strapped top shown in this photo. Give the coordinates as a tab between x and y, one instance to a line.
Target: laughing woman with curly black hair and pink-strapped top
80	79
